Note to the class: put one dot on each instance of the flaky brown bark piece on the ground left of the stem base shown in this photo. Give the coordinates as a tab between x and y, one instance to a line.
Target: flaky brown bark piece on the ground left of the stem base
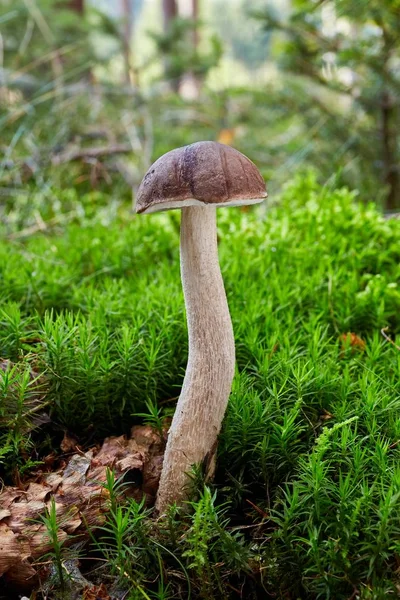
80	497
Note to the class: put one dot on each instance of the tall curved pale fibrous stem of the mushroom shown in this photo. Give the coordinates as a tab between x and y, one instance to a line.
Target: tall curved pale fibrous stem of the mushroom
201	406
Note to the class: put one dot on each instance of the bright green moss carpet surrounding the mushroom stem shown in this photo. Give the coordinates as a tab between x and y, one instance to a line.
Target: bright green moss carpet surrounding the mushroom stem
309	450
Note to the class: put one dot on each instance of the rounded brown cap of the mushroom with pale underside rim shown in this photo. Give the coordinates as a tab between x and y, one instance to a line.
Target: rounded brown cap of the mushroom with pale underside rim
202	173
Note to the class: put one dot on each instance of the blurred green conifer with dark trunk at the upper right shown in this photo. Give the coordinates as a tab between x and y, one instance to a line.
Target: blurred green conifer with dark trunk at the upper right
343	56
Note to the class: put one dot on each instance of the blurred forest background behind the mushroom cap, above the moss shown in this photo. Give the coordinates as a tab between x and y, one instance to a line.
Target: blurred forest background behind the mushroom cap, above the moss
92	92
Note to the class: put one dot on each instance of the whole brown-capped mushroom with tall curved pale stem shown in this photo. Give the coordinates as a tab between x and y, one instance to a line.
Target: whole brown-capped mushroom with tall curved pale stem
197	179
